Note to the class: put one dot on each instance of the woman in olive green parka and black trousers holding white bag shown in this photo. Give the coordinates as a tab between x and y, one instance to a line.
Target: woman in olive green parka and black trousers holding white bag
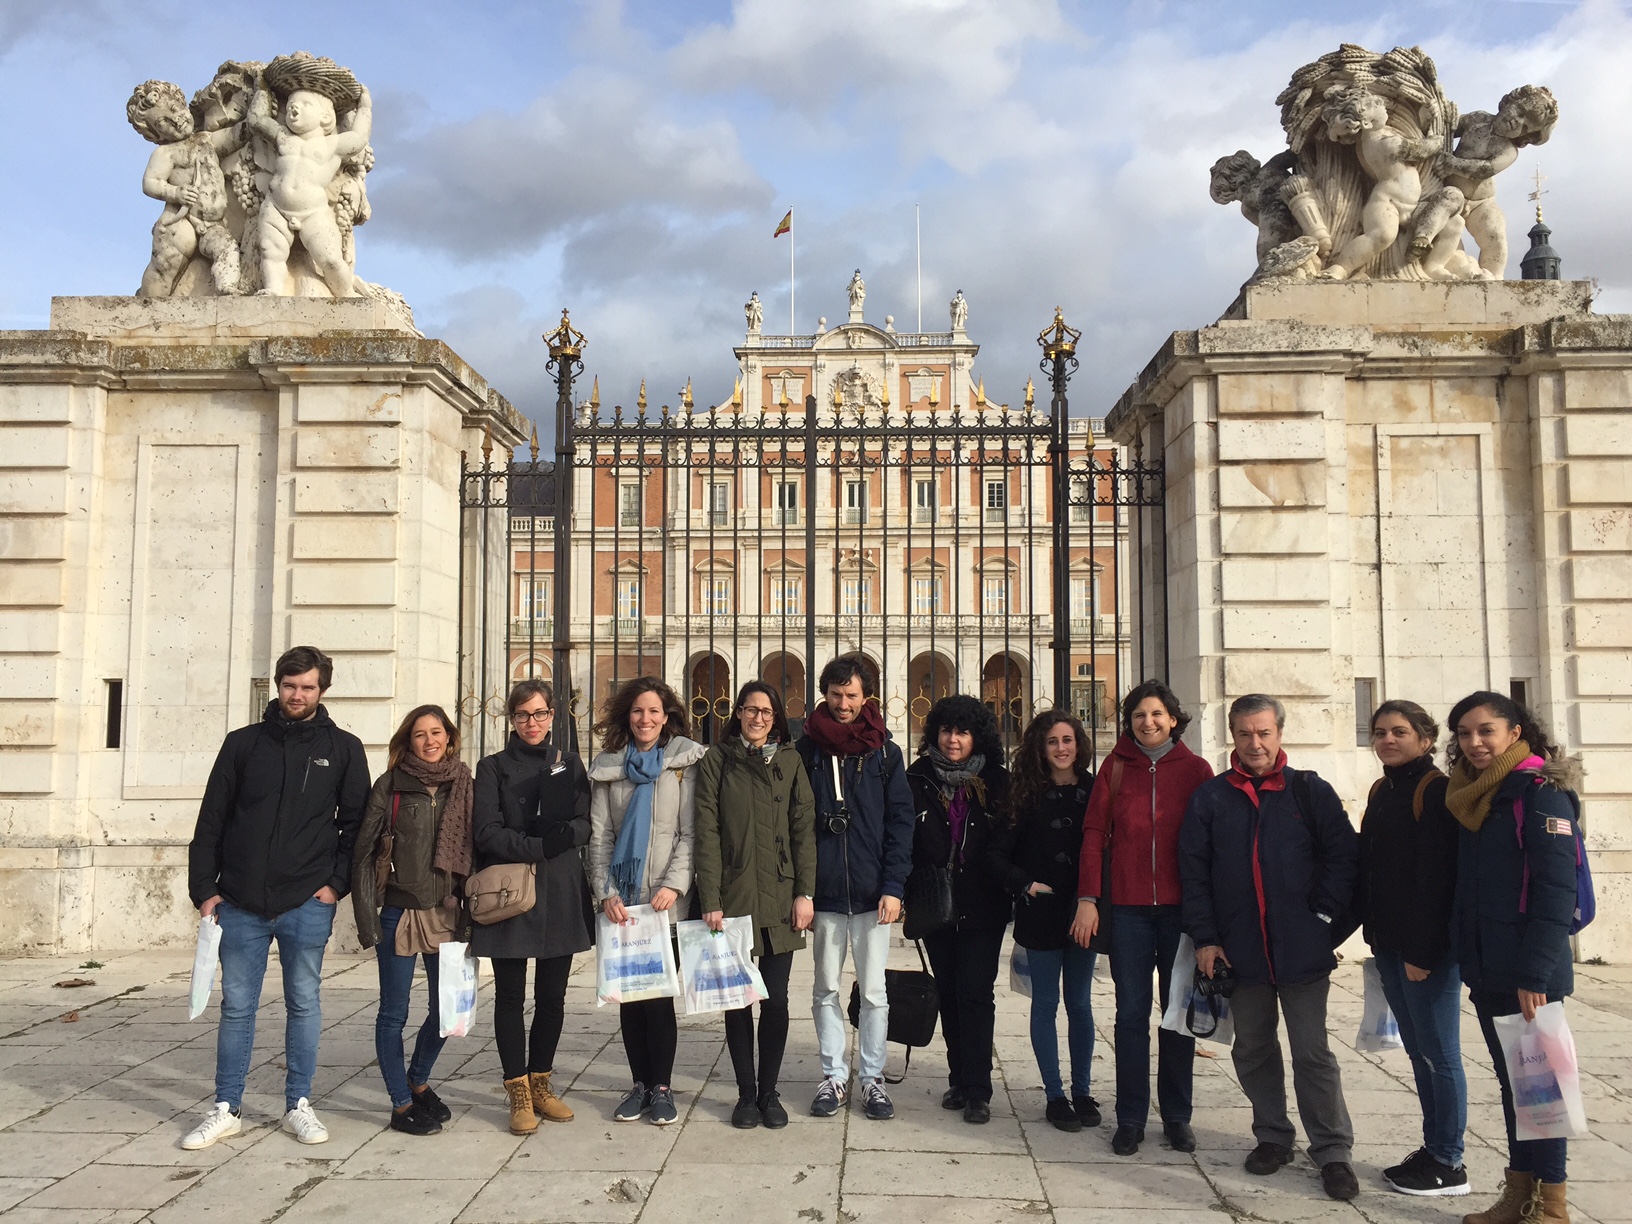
756	856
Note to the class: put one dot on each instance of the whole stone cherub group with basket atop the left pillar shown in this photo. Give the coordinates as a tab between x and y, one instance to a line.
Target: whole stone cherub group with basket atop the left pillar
262	180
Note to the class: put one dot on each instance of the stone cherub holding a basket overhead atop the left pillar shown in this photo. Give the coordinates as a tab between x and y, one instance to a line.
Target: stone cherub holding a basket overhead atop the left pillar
311	148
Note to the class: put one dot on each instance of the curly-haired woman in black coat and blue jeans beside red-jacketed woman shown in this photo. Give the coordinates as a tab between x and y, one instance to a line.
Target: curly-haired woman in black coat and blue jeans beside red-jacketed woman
1036	858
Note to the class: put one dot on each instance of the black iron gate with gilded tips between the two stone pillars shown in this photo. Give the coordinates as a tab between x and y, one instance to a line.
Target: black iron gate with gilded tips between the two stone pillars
975	549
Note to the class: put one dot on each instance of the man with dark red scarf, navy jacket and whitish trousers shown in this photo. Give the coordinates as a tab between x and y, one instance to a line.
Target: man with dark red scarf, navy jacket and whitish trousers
864	853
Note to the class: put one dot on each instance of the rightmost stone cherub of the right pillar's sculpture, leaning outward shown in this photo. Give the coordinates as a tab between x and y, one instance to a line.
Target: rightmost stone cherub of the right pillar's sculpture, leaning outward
1488	144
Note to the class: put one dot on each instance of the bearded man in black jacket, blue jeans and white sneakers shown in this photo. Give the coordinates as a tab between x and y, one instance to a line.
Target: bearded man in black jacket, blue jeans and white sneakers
270	861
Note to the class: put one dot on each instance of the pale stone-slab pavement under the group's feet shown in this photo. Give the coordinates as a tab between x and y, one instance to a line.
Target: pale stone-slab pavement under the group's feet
92	1111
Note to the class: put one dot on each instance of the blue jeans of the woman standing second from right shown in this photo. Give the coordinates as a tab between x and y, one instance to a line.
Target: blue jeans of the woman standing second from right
1430	1019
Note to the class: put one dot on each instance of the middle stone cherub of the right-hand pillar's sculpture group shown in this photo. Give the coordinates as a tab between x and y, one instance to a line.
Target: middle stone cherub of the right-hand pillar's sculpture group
1355	115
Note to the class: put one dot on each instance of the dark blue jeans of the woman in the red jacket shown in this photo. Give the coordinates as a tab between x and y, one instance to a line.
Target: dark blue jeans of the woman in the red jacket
1145	941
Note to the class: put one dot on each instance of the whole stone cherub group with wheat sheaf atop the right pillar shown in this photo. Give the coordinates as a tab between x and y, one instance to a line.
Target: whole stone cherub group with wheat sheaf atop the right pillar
1372	185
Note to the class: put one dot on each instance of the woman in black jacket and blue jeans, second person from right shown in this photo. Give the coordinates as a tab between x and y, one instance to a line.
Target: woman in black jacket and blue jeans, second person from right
1408	884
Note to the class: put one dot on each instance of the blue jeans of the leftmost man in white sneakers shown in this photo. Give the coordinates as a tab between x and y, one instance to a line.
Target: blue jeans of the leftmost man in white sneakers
246	939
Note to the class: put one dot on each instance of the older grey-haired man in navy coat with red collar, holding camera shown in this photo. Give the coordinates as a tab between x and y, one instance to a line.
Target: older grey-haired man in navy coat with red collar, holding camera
1269	859
